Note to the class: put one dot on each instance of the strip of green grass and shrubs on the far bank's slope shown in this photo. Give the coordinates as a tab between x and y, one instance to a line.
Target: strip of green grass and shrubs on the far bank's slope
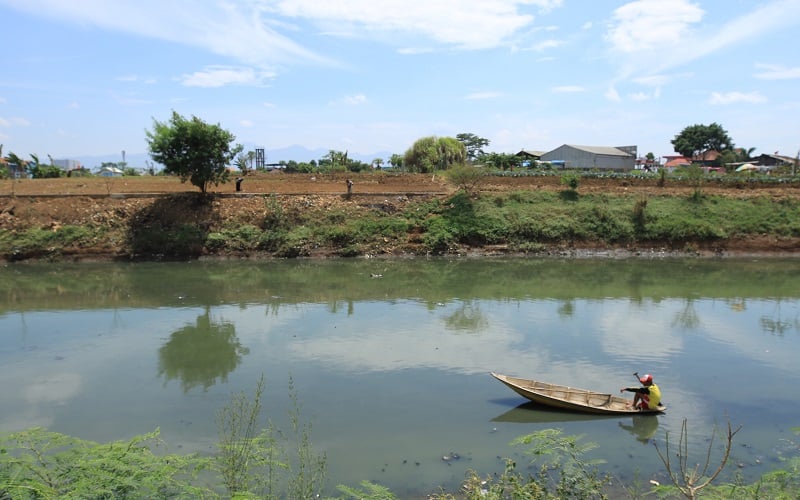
522	221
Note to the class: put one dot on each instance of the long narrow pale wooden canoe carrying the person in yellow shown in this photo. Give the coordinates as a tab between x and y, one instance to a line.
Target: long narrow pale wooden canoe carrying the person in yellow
568	398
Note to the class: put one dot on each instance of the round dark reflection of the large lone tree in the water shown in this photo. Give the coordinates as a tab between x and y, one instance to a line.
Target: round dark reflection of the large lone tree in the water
199	354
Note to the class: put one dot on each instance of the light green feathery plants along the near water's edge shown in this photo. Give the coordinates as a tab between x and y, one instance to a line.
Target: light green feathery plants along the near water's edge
260	462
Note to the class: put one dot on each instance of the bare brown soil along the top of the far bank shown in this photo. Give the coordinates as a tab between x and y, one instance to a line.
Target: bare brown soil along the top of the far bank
50	203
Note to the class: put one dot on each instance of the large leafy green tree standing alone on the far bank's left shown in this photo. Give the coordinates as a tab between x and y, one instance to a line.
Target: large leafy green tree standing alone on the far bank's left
193	150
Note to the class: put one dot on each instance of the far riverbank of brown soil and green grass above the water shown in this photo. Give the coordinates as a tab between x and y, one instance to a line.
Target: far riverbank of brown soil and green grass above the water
280	215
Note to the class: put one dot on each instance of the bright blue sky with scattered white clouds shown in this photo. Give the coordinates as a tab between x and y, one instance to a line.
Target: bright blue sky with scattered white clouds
89	77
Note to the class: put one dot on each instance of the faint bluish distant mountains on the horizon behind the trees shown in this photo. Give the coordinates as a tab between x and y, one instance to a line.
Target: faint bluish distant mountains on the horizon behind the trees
295	152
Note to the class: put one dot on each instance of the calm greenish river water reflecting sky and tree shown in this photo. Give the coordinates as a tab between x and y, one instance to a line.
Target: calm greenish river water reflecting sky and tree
390	359
